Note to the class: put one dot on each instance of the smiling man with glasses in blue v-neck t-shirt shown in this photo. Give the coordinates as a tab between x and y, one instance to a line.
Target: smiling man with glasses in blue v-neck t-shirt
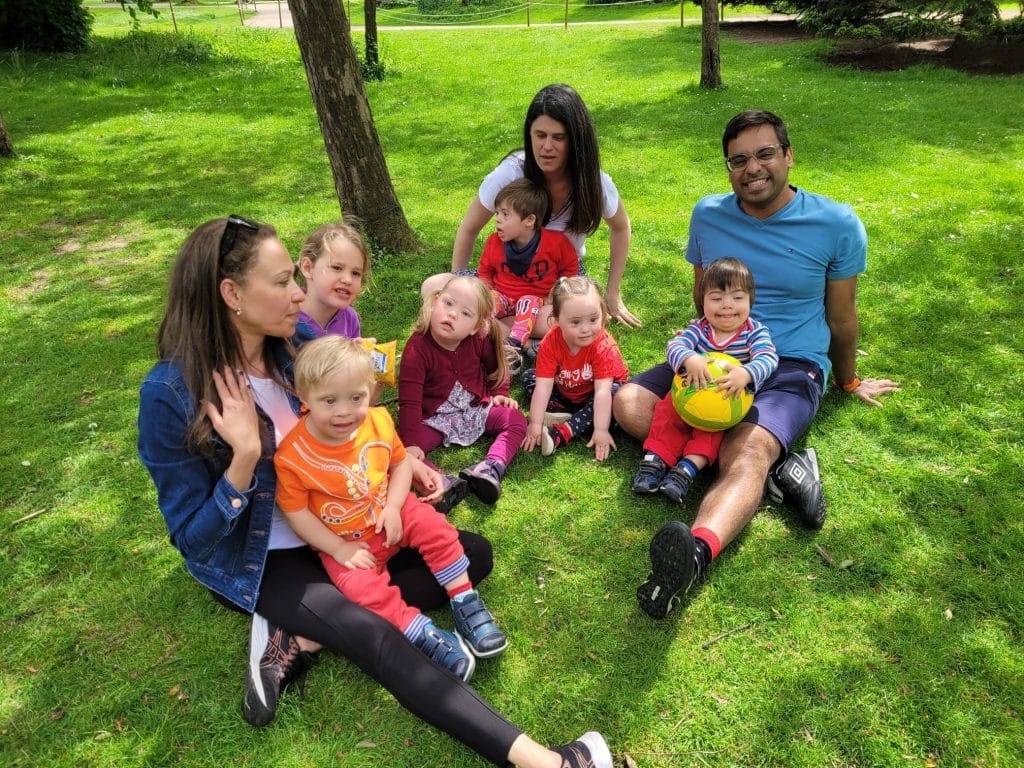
805	252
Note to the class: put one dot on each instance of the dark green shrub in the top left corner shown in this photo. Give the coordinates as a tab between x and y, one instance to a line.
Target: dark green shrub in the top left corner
49	26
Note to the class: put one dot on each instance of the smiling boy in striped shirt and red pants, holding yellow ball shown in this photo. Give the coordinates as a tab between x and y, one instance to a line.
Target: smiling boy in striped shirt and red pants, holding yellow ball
675	452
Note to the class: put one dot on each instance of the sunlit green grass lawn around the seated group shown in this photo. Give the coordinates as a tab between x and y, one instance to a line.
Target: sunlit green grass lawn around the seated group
890	638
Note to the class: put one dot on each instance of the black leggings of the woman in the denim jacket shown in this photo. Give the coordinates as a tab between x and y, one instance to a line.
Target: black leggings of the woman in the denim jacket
297	595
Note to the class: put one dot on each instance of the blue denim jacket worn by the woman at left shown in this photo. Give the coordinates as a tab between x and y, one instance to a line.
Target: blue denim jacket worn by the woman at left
222	532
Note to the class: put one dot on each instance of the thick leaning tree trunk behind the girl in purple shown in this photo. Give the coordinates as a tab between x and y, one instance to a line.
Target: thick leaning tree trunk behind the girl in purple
361	176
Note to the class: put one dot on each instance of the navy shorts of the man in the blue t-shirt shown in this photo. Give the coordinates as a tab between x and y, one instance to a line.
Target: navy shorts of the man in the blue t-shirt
786	406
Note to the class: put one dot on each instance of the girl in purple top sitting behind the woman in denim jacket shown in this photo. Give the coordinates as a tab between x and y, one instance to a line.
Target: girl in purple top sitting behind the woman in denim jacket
334	262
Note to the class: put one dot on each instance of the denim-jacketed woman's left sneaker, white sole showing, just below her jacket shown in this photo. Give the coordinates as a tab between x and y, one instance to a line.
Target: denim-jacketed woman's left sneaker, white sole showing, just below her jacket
275	662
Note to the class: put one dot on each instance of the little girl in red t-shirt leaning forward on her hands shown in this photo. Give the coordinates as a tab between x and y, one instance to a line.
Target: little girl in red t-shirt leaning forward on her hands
579	369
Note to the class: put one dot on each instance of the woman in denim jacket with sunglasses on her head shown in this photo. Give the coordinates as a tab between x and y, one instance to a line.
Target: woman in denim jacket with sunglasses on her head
210	416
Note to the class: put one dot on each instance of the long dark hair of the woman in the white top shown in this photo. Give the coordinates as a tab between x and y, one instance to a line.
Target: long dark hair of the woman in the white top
562	103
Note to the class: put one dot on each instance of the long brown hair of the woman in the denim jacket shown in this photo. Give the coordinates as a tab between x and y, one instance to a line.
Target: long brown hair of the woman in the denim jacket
197	333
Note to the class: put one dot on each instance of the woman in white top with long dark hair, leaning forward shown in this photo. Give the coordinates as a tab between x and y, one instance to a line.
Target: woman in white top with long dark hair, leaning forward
561	155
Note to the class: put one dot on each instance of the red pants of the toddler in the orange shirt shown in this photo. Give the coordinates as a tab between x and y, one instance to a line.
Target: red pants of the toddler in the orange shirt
424	529
